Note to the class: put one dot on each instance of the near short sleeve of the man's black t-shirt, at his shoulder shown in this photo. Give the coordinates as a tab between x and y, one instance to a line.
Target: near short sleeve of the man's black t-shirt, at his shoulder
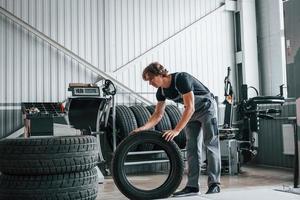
184	83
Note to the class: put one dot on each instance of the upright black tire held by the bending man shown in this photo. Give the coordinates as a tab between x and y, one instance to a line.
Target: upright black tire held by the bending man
176	166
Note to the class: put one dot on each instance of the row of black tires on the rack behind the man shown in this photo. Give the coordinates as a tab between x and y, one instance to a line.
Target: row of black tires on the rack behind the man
130	118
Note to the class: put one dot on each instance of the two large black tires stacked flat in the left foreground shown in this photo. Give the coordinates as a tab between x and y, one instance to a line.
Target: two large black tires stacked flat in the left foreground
56	168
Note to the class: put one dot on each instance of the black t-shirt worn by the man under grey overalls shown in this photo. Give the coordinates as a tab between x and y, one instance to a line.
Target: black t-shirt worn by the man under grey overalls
181	83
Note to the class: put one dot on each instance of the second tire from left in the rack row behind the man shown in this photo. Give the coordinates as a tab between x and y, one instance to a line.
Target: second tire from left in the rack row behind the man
142	115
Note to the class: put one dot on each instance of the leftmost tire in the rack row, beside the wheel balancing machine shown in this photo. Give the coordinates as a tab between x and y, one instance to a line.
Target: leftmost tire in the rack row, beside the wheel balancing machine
125	123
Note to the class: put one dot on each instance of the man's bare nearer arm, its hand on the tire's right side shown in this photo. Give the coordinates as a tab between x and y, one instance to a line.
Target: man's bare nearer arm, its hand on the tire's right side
189	109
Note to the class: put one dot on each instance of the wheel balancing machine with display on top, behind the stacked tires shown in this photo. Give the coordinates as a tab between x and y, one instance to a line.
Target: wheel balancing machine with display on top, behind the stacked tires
88	110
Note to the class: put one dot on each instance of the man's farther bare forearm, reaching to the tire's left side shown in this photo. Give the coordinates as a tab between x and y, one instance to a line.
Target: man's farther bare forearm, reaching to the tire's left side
155	117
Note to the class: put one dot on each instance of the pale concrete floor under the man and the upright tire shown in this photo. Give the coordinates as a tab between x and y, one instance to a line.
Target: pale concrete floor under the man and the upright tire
252	183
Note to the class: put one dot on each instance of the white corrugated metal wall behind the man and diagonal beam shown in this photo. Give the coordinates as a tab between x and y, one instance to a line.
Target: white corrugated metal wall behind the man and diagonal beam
119	37
